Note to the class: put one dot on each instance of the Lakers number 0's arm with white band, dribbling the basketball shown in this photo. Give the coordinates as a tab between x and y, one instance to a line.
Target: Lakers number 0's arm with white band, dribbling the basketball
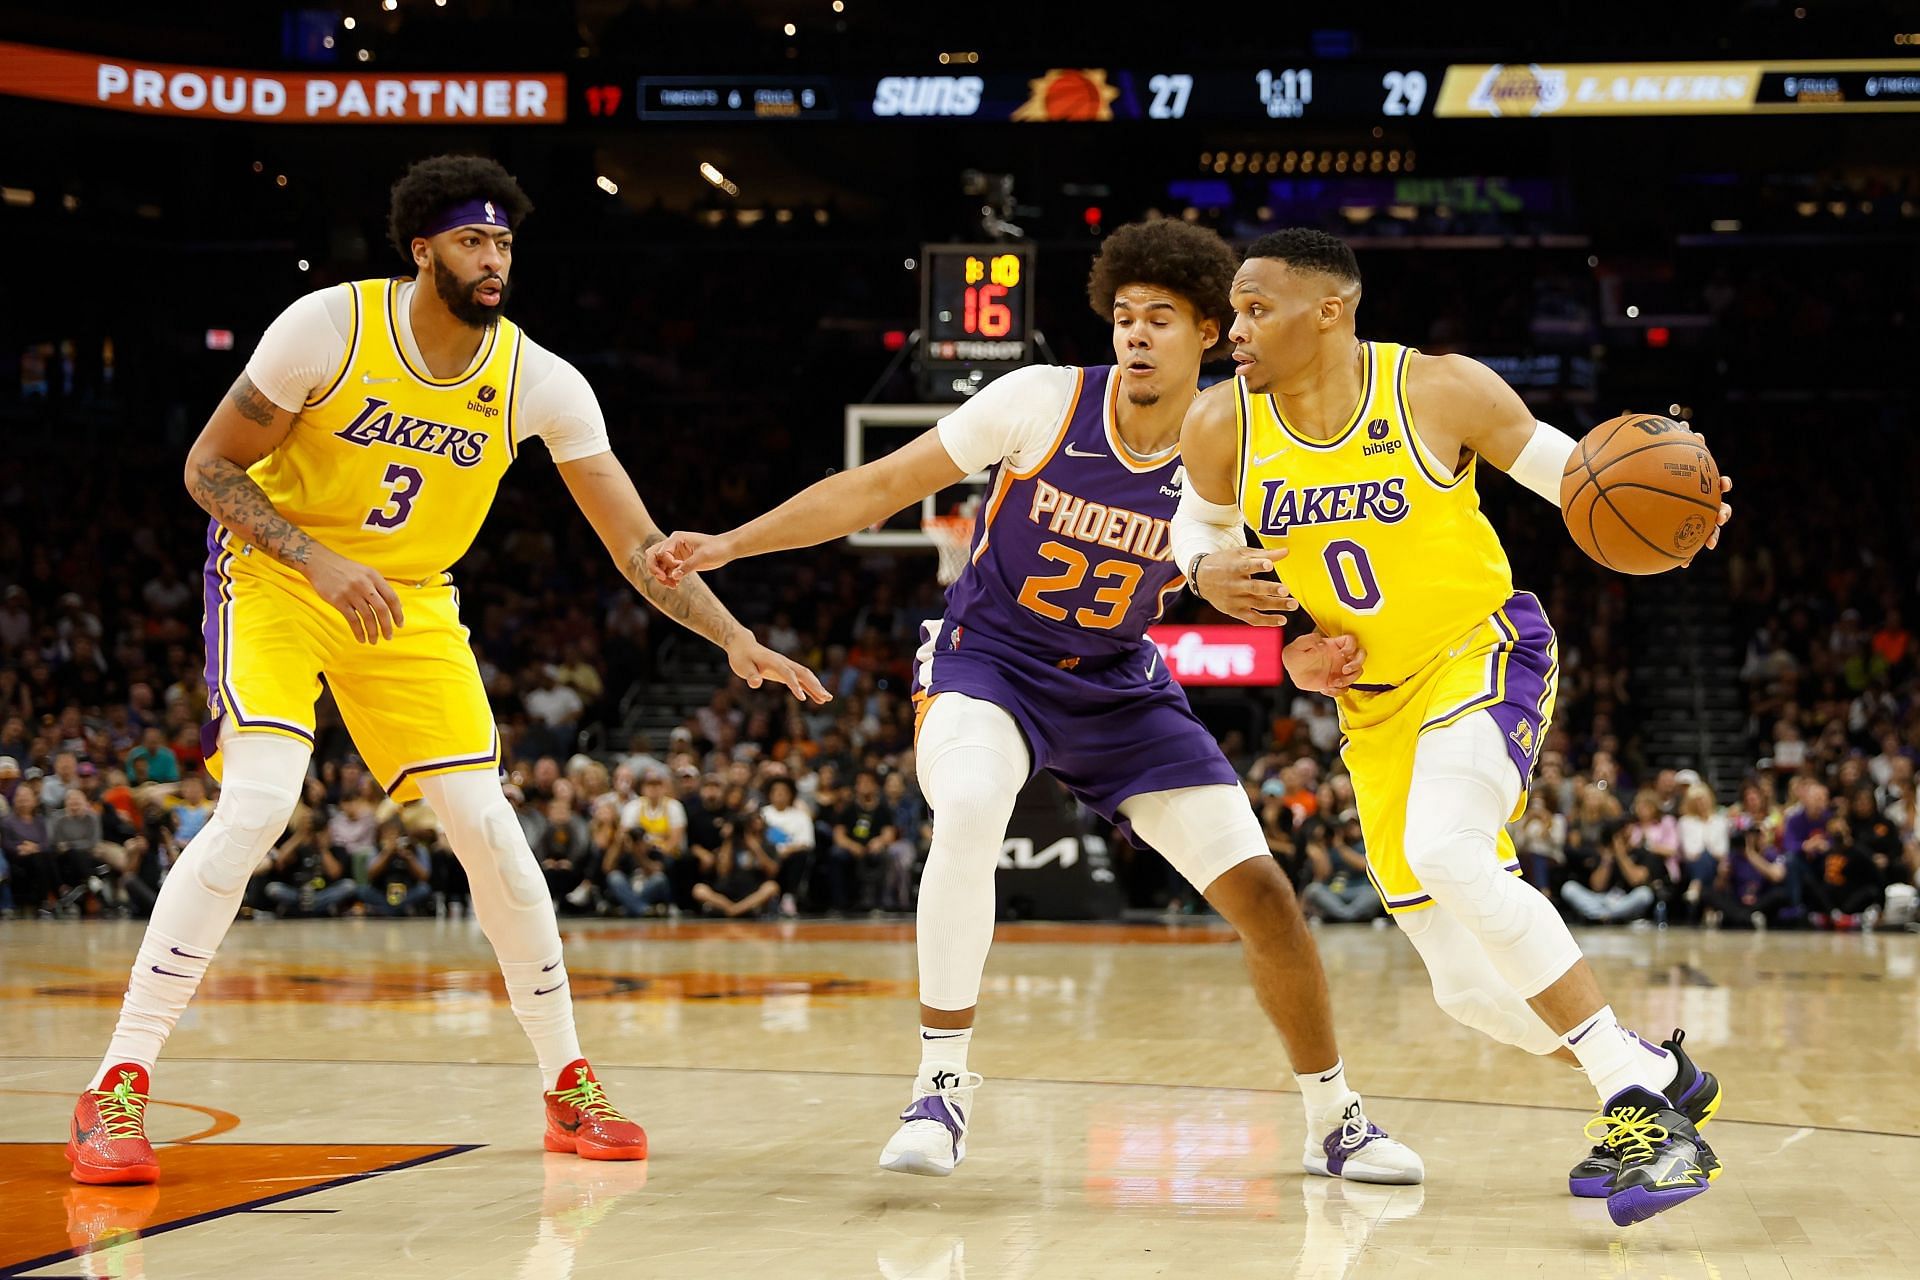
1462	404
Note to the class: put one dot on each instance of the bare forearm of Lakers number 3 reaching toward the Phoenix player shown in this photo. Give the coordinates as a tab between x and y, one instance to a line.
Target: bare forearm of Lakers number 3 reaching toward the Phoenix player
612	506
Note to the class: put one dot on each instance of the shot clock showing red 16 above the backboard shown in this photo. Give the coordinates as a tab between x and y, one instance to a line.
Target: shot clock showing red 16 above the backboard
978	304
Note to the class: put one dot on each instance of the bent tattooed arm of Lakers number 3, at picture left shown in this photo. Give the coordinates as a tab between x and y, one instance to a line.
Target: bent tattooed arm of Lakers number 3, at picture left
241	433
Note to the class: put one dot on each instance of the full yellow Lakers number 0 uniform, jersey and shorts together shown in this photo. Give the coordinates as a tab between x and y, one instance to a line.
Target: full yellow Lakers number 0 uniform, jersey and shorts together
1387	546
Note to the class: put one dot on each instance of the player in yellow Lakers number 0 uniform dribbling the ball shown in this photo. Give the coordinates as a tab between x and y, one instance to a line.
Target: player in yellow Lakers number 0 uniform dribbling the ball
1355	465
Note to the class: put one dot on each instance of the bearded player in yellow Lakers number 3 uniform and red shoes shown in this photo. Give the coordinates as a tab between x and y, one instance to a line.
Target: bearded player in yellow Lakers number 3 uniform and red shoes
348	469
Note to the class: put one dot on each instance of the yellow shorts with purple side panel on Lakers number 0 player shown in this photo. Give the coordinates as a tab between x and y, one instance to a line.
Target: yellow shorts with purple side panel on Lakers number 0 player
1506	667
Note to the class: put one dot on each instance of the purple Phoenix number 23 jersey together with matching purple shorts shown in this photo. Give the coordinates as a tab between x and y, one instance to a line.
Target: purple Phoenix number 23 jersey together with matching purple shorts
1072	561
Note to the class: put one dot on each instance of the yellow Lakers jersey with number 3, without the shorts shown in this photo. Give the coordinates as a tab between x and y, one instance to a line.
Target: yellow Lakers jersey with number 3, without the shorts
391	465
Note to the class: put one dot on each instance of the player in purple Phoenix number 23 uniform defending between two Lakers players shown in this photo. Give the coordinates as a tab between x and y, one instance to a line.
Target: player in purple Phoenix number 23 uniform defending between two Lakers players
1044	663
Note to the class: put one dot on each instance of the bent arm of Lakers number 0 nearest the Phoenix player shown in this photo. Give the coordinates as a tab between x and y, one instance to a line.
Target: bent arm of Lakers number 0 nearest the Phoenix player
1209	540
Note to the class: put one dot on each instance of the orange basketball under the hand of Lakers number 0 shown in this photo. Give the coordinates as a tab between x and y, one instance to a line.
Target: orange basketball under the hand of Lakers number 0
1641	494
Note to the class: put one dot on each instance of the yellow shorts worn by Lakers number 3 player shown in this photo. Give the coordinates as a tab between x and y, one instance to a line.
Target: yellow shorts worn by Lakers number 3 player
414	705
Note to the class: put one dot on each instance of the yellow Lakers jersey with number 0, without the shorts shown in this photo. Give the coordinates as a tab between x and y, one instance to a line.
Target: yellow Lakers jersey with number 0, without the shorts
1381	542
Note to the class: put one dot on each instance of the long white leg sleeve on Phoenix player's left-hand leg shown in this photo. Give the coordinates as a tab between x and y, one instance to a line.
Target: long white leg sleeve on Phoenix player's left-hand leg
972	767
